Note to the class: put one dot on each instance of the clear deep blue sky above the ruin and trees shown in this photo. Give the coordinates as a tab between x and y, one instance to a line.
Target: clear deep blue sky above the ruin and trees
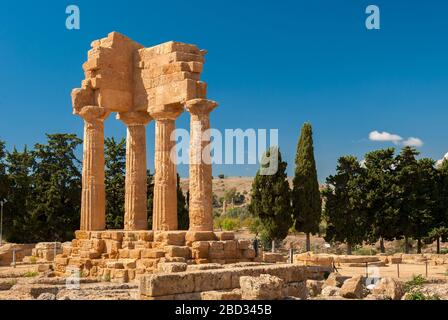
271	64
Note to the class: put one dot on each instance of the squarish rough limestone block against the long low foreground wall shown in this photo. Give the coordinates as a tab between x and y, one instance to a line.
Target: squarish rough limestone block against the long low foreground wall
264	287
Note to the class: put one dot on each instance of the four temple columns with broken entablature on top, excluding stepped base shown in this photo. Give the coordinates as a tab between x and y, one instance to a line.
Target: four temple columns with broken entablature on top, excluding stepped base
141	85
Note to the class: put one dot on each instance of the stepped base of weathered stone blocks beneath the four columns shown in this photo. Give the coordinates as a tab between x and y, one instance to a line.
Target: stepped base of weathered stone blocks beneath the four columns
123	256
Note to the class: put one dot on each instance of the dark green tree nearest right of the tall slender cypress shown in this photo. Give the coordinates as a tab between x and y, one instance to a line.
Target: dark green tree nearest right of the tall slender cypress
345	207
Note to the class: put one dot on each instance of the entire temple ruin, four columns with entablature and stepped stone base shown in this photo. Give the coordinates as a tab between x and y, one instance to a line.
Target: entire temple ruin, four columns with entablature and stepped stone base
141	85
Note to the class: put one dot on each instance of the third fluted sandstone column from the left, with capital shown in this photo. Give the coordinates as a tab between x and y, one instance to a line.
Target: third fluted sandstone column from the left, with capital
165	178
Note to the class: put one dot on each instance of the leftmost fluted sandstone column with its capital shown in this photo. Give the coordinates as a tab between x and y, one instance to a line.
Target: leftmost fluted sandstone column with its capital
93	198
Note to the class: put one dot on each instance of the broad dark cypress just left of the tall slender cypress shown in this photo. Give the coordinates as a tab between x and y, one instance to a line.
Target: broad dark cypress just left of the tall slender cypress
271	196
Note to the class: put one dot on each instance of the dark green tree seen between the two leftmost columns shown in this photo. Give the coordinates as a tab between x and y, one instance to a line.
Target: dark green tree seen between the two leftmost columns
115	159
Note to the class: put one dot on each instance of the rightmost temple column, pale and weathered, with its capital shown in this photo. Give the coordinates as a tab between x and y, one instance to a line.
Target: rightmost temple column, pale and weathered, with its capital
200	204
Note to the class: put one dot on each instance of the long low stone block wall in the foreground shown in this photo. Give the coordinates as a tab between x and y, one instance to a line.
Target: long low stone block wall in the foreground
224	283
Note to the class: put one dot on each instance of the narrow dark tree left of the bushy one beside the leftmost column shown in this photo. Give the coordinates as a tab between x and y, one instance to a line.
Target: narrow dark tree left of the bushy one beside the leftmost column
18	224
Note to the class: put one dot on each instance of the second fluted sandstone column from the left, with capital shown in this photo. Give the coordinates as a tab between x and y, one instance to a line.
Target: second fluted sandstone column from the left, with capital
135	216
